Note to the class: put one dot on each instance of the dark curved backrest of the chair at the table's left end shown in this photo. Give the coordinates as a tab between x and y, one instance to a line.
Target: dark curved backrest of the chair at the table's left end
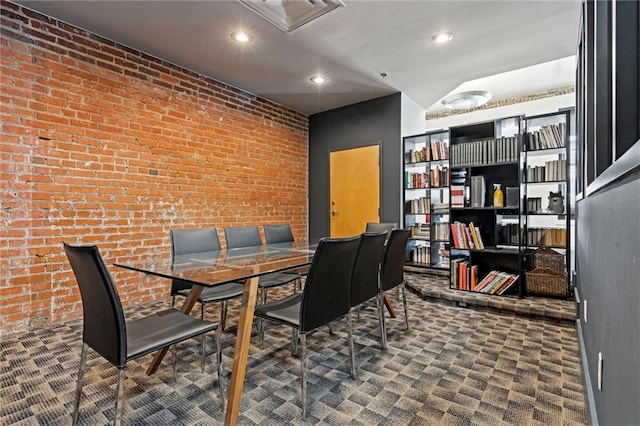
104	327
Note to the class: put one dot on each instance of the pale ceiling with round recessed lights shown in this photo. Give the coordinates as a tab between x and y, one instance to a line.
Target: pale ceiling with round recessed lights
353	46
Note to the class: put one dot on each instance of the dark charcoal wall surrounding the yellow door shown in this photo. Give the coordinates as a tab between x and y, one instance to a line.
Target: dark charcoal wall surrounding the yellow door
365	123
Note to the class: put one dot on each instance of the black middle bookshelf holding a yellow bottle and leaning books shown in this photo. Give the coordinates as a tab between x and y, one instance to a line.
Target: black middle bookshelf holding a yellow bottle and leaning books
486	243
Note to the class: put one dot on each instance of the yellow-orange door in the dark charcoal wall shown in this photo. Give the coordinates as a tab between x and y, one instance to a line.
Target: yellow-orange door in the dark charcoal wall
354	190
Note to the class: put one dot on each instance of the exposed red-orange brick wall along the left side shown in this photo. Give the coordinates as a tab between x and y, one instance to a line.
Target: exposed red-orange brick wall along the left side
101	144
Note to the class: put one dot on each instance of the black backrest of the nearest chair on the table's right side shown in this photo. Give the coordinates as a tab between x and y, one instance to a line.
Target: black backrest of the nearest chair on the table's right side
325	297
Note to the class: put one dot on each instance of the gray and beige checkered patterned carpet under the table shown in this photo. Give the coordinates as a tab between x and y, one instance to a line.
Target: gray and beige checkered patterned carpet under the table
455	366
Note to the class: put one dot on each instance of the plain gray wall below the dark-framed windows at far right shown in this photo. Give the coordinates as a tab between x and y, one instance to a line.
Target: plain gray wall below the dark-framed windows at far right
608	267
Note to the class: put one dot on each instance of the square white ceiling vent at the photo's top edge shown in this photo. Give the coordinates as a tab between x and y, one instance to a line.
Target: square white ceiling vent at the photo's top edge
289	15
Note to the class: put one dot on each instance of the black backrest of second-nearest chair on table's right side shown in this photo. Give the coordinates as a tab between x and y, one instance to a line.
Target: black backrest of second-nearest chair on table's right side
366	268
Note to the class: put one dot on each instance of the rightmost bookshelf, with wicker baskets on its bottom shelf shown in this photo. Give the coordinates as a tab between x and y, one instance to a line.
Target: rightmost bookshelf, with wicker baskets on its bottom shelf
546	216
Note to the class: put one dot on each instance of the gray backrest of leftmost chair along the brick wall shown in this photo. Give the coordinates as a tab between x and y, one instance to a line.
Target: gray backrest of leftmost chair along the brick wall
191	241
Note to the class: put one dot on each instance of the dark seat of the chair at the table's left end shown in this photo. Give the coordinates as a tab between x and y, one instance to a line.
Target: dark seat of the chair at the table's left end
162	329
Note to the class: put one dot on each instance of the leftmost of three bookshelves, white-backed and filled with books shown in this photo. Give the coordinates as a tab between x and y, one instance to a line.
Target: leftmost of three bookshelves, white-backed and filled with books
426	199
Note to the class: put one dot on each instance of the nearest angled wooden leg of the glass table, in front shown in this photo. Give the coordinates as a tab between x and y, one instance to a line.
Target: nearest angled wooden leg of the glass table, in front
241	352
